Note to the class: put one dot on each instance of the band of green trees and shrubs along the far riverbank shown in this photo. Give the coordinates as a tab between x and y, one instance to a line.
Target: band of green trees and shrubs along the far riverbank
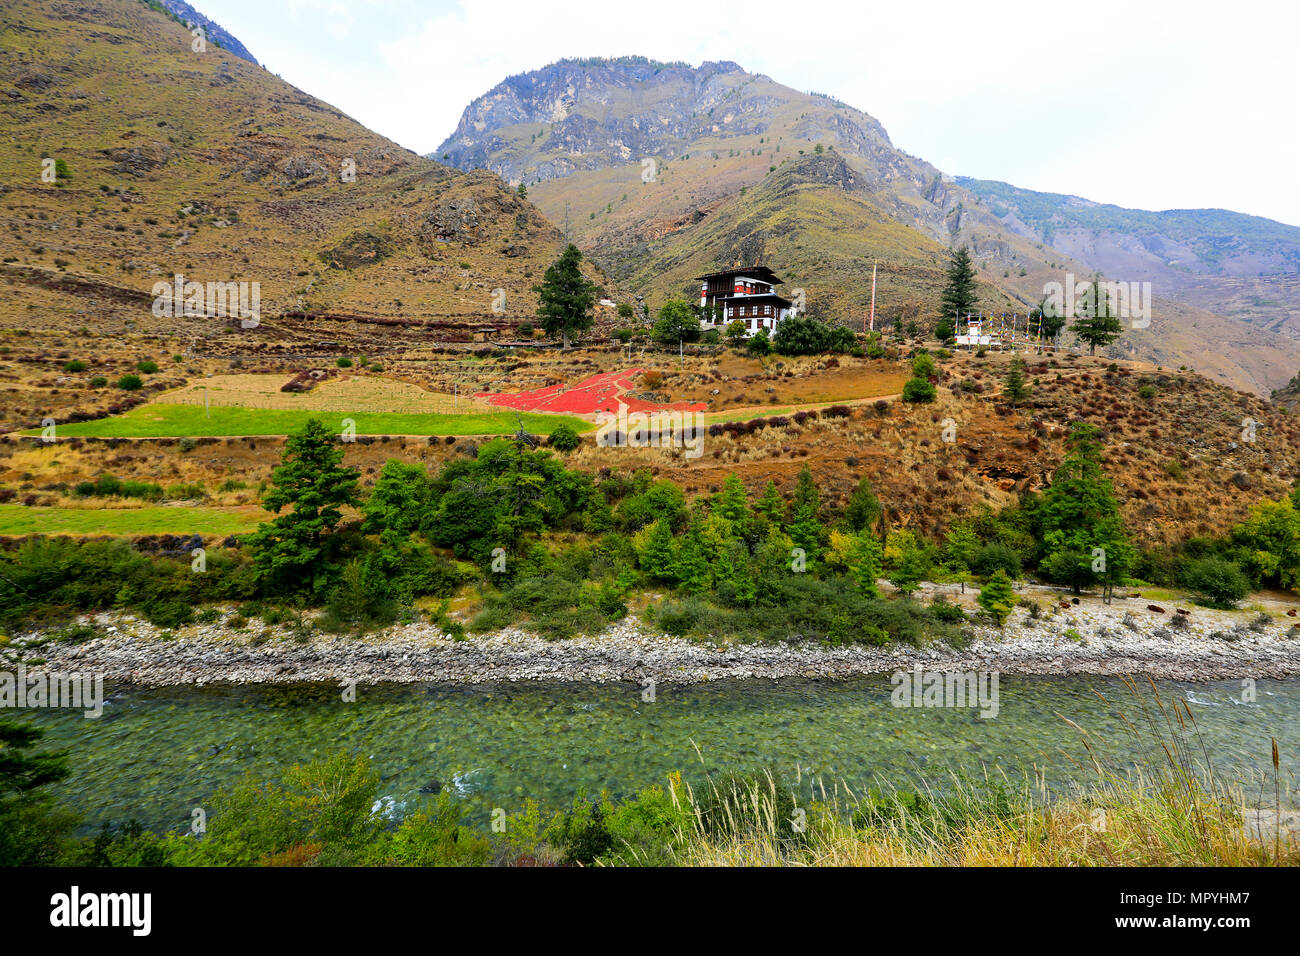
514	537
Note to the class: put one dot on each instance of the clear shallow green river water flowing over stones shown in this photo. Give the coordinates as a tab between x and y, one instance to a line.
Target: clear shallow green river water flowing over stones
158	754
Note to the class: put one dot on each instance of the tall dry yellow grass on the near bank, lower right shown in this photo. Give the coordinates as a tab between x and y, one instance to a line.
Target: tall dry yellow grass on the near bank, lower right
1168	810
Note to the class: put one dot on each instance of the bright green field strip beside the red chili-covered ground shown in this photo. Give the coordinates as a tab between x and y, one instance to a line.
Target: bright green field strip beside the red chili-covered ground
185	421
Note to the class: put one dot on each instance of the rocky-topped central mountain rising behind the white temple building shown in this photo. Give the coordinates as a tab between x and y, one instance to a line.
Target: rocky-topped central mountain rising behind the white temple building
668	171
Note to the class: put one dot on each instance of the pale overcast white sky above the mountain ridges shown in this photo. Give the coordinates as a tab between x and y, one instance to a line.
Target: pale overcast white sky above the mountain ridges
1139	103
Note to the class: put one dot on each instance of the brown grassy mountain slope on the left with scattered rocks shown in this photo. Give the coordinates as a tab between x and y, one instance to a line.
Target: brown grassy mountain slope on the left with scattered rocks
174	162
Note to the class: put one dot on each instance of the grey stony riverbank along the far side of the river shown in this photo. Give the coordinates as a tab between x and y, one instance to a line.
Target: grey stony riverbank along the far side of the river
1091	639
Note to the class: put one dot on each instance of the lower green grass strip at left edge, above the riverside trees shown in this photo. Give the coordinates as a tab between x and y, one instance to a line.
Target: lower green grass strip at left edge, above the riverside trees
18	520
